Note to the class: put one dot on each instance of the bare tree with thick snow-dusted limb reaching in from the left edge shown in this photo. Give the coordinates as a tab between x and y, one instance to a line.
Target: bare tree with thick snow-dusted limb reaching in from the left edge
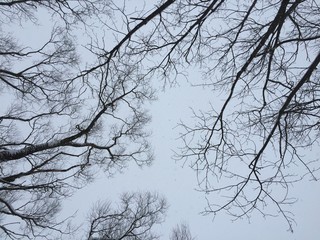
62	119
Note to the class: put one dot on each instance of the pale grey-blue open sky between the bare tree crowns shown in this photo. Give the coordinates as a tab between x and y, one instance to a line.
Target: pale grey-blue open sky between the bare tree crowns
178	183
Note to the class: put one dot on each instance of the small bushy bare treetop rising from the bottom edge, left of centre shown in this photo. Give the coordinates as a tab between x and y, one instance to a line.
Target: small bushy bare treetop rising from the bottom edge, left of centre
134	218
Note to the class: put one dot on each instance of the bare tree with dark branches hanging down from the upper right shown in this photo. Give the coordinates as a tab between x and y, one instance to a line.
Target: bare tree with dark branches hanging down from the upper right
262	58
